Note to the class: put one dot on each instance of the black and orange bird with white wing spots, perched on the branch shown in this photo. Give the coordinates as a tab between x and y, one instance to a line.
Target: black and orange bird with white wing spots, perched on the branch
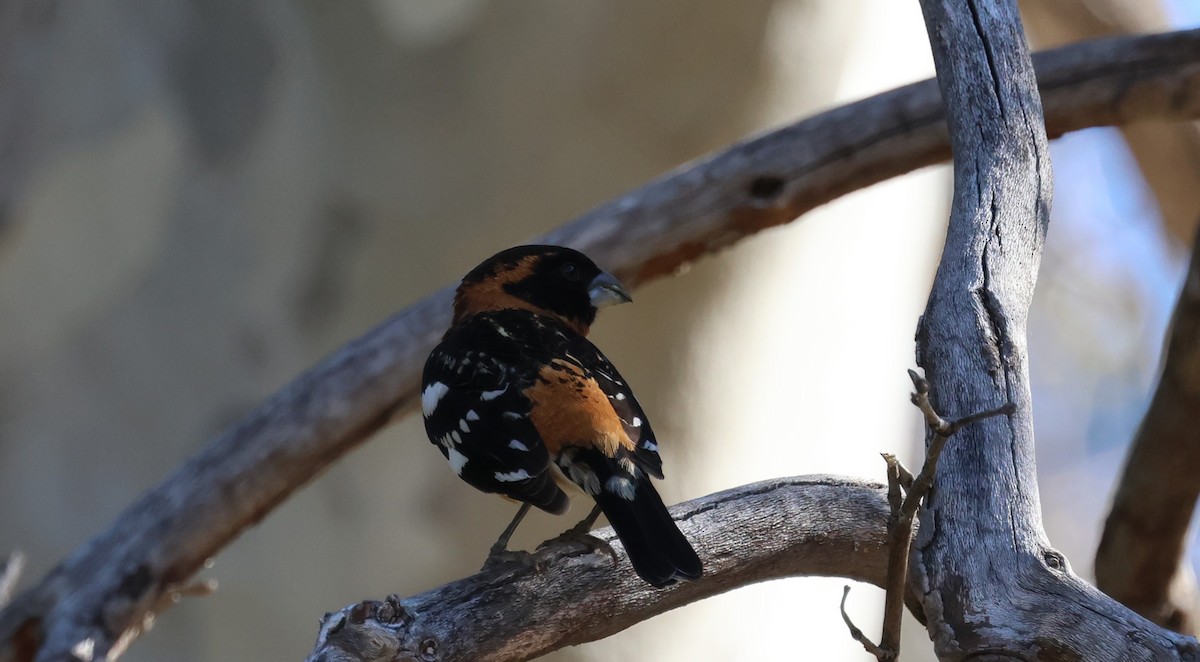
521	405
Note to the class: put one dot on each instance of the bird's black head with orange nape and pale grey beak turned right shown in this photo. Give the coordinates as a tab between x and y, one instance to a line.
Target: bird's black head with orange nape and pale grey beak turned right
548	280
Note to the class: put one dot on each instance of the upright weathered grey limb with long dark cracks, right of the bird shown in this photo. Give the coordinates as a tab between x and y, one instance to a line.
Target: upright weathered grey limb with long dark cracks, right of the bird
991	583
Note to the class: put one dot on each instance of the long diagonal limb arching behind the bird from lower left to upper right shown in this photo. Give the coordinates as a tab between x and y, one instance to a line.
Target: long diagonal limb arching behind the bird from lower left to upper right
107	587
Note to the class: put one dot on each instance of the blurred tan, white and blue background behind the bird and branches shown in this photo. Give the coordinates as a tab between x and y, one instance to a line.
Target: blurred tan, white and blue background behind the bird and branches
201	198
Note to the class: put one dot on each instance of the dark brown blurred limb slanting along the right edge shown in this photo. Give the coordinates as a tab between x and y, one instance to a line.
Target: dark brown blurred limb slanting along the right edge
1142	559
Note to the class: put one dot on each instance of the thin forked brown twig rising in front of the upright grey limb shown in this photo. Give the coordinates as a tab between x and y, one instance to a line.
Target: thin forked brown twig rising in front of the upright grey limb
904	510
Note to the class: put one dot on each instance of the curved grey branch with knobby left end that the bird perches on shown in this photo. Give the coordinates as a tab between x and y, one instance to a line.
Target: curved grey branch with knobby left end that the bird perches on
812	526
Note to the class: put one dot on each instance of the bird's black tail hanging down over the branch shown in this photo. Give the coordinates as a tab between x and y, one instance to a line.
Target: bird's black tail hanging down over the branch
659	552
